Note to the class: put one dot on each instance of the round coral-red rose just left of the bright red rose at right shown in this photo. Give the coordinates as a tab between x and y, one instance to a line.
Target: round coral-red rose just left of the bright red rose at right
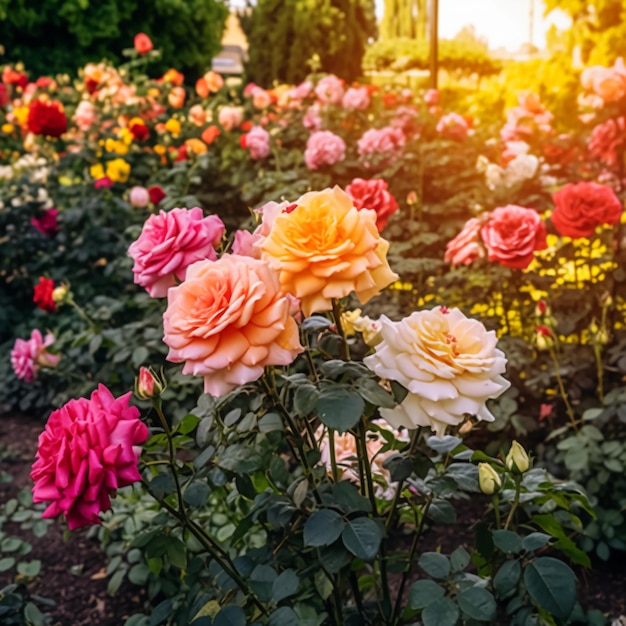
512	234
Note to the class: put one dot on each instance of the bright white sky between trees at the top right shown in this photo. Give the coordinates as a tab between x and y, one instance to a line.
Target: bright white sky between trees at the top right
504	23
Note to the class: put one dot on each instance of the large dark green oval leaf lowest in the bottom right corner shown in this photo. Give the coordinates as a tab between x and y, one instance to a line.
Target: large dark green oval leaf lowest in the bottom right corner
551	585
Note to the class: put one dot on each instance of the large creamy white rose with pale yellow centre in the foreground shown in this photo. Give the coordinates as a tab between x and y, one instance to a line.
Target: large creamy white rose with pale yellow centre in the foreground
448	362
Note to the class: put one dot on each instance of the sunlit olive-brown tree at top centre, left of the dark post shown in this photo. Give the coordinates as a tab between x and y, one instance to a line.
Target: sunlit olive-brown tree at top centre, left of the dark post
285	35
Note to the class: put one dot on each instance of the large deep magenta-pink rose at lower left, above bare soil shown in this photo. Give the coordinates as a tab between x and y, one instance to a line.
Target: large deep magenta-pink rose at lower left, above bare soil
88	450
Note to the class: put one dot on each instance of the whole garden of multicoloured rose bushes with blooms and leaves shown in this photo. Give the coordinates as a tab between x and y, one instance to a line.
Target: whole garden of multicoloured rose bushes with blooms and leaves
276	339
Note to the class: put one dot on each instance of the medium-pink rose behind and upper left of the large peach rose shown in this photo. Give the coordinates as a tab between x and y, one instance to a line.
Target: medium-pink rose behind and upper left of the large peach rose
169	243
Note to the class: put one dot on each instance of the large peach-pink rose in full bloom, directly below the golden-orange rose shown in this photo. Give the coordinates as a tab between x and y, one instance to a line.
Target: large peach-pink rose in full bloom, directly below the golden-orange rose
227	321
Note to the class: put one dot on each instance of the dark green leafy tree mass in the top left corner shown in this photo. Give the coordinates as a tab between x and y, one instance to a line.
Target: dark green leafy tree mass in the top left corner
51	37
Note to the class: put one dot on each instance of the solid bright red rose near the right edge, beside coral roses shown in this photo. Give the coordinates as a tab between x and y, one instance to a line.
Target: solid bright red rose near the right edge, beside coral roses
580	207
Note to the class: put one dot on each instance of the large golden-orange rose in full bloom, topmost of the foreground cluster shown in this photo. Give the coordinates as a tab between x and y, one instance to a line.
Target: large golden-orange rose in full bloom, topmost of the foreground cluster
326	248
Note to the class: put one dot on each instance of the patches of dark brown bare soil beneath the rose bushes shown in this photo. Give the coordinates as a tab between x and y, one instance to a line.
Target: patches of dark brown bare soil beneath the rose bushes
73	571
